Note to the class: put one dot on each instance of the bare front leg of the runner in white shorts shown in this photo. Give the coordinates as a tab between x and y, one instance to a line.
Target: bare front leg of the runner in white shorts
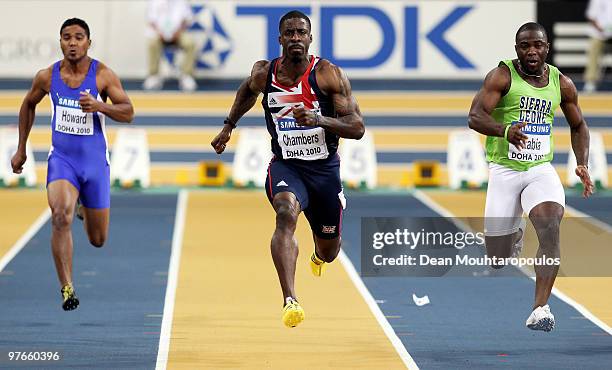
546	218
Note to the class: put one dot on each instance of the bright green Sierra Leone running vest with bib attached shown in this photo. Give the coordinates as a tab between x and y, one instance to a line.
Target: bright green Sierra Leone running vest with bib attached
534	105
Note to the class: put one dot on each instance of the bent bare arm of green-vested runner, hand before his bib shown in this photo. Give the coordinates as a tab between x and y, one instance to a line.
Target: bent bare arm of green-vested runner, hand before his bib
496	84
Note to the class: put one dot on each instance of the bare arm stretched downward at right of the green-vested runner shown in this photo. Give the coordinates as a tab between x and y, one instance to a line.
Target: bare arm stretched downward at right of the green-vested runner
578	129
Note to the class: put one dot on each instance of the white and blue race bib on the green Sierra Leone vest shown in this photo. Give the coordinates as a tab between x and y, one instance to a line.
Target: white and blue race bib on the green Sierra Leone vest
537	145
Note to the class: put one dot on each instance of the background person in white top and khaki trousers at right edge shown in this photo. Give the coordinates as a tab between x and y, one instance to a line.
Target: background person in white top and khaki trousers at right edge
599	15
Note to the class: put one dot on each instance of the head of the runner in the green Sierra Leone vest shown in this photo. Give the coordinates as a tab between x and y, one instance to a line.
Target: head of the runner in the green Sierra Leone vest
532	49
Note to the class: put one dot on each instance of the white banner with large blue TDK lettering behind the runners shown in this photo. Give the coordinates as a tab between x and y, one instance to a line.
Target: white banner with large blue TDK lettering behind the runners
377	39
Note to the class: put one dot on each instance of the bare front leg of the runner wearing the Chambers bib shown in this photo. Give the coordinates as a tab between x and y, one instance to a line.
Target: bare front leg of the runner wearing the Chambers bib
284	245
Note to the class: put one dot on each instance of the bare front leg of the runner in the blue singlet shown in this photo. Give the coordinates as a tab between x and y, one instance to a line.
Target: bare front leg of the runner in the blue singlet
62	196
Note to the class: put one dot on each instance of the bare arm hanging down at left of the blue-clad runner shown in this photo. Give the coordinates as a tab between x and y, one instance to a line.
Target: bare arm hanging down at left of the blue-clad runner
40	87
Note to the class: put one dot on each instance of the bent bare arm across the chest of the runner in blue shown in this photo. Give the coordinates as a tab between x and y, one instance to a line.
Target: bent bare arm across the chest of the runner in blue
109	86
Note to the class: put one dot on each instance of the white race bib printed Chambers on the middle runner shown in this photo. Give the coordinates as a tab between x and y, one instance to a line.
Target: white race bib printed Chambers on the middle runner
300	142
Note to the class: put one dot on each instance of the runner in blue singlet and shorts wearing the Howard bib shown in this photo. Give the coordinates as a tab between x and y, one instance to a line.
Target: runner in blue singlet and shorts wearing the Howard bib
78	163
